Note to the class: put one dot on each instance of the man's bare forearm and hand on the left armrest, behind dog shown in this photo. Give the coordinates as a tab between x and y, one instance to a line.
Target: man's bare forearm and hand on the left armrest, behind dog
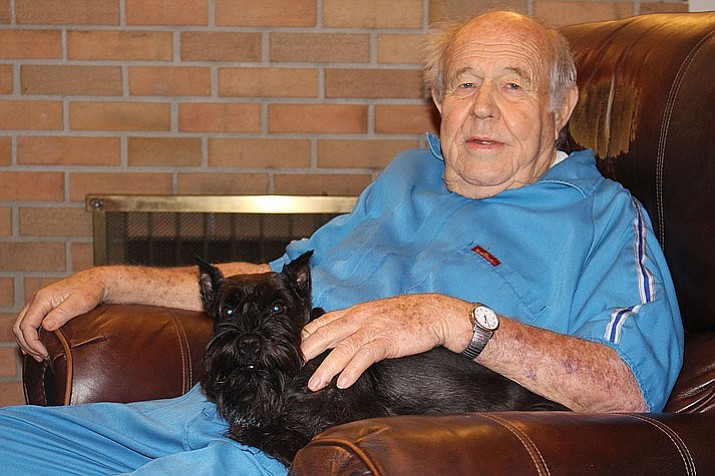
57	303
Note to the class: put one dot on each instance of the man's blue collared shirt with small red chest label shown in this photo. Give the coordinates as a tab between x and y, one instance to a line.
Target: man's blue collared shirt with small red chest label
573	252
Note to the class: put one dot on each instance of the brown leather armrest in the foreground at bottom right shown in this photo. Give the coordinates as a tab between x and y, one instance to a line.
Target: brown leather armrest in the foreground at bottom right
515	443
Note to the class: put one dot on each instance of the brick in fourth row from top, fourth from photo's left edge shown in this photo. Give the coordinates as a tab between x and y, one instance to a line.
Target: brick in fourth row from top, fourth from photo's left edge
317	118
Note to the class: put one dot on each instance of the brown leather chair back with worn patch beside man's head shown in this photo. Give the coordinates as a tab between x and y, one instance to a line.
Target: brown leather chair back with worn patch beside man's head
647	108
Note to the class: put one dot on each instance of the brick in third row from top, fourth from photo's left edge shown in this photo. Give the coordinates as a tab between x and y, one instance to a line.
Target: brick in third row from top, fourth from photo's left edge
268	82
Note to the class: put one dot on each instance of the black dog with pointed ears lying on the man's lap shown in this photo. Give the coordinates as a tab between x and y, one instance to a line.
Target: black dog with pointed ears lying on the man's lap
256	374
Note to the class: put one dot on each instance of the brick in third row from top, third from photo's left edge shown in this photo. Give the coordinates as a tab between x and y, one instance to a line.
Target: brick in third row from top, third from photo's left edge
169	81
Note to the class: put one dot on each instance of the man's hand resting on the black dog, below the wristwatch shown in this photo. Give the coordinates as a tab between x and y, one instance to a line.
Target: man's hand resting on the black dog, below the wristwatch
367	333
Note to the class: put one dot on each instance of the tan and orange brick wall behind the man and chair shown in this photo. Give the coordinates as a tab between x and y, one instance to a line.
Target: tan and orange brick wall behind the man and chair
203	97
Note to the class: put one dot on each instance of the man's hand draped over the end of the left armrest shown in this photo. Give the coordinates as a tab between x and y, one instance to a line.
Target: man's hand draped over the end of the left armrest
54	305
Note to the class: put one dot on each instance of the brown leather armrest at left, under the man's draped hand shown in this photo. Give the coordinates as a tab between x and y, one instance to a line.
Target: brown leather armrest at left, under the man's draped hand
119	353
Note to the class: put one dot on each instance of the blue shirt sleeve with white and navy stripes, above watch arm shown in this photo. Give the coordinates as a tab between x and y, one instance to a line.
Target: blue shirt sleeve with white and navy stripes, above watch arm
626	300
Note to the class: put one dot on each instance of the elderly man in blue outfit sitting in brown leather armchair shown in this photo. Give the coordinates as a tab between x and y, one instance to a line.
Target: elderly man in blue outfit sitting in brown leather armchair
491	243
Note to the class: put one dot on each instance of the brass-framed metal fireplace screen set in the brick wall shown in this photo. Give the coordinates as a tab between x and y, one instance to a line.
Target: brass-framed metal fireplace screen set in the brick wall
174	230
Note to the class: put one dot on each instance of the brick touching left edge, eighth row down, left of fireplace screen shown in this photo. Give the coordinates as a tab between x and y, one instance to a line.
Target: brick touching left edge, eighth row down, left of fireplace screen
32	256
